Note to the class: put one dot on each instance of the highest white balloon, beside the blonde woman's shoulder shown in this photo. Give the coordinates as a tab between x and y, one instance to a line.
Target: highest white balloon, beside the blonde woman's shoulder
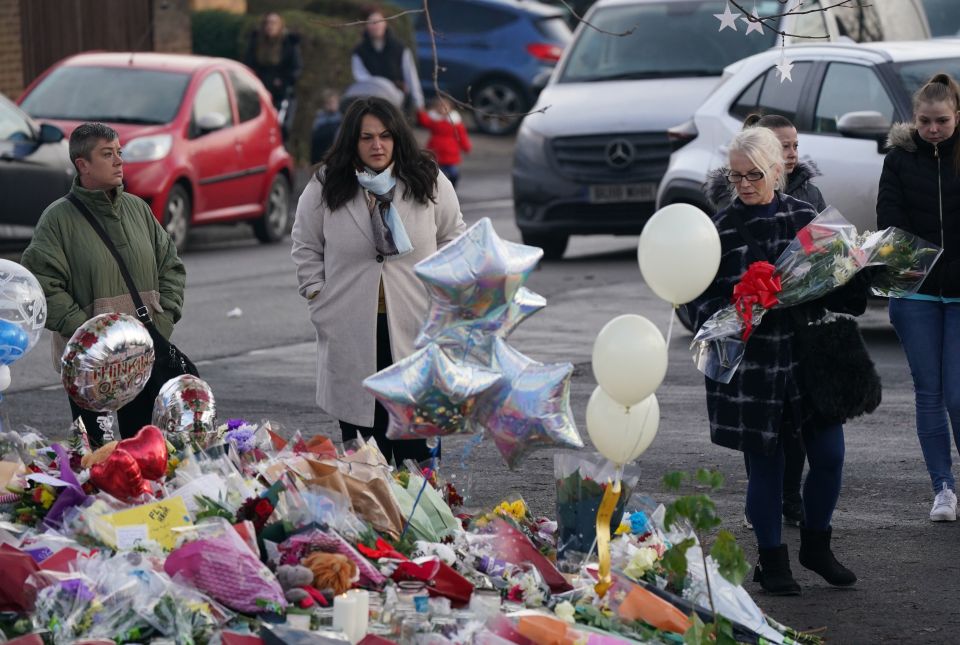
679	253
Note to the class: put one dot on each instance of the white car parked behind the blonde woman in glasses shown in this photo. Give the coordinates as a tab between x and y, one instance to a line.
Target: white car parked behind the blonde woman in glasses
843	99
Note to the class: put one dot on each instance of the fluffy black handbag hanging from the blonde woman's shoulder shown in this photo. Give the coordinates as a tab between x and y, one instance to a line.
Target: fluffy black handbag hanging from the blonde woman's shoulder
836	377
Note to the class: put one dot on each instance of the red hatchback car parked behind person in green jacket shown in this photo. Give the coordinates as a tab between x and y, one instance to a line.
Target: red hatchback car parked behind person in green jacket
201	142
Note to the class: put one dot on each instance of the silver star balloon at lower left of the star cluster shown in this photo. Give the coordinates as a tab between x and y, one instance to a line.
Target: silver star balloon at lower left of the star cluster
428	394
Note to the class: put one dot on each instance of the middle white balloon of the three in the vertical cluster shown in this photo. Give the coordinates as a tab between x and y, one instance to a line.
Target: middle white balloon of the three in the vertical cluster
629	358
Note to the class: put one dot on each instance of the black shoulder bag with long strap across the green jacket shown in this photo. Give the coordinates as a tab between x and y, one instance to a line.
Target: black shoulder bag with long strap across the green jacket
169	361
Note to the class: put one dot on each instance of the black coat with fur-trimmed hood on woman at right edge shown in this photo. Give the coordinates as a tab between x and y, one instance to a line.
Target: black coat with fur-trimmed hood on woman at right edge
920	193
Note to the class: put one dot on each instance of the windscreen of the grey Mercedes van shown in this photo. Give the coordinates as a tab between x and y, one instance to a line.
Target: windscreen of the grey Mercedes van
665	39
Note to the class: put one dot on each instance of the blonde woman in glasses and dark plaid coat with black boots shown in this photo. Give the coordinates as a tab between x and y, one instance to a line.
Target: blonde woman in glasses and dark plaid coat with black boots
763	403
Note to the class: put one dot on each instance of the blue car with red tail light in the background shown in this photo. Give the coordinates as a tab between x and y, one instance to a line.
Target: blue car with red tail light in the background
491	52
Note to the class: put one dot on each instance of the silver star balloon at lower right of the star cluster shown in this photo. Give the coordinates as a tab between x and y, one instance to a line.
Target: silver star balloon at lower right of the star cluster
531	409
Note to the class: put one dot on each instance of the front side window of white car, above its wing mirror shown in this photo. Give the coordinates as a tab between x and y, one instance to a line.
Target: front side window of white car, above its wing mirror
849	88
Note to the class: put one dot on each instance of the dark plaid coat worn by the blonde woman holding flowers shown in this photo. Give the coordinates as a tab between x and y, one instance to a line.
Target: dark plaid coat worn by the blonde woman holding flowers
762	397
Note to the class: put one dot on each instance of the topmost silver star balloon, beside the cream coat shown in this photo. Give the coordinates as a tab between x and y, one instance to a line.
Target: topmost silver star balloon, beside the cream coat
478	273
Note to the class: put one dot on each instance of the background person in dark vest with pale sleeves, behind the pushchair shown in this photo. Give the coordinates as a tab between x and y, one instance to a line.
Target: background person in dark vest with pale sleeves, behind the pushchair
381	54
